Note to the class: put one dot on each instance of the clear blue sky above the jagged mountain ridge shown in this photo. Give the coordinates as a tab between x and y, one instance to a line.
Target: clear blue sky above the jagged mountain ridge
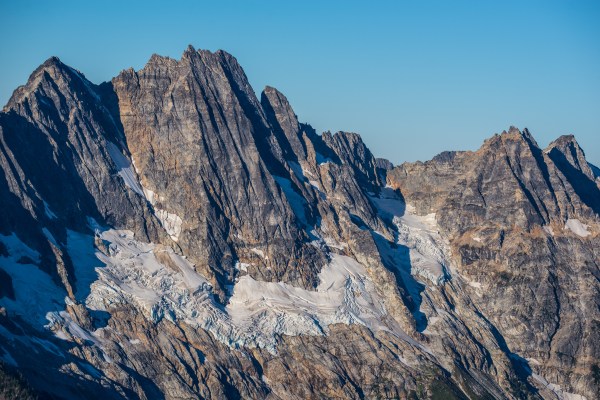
412	77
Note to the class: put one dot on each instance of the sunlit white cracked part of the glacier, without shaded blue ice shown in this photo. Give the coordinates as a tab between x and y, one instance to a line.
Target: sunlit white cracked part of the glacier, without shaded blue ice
165	285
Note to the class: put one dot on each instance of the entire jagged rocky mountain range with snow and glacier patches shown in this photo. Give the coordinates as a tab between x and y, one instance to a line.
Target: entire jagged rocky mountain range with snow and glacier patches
168	234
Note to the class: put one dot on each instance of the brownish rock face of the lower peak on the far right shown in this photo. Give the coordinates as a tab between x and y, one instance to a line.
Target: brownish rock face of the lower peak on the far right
524	235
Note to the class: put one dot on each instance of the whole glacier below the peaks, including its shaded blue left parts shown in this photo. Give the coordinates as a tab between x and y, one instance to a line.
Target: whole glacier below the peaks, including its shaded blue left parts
164	285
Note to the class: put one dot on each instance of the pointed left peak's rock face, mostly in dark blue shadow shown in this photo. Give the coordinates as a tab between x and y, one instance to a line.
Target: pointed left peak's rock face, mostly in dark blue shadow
62	160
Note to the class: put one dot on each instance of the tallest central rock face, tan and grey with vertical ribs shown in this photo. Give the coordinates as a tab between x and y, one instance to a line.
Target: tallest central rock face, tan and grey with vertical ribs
201	145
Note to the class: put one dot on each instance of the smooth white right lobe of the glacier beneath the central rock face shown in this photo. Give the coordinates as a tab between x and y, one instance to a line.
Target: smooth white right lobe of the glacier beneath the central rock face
345	295
